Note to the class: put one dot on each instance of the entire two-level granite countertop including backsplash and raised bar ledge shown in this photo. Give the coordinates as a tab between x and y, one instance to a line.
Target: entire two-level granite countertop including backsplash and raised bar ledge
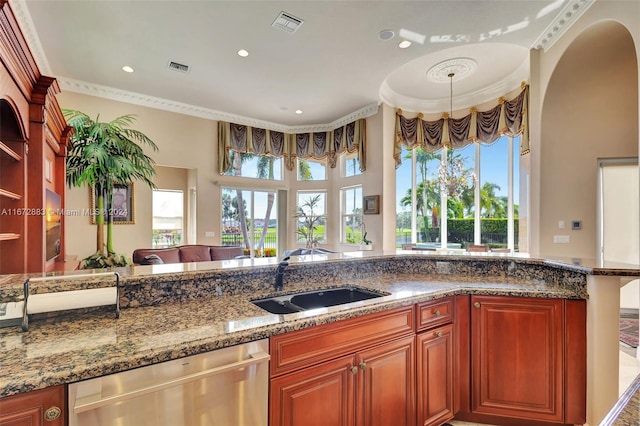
173	311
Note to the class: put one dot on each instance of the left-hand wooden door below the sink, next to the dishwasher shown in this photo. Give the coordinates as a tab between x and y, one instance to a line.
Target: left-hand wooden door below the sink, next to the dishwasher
320	395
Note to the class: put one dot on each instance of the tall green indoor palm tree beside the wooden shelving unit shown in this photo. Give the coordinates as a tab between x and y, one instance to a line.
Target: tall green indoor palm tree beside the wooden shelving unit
102	154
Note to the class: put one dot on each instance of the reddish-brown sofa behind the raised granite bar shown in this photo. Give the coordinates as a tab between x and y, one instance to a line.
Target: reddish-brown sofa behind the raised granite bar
184	254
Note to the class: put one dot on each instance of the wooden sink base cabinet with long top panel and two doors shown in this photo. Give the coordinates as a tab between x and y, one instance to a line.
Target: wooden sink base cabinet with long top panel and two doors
359	371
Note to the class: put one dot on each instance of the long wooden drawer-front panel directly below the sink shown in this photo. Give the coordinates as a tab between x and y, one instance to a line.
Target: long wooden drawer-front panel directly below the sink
316	344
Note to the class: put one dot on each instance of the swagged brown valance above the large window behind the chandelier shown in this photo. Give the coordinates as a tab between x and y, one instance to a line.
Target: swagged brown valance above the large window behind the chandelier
506	118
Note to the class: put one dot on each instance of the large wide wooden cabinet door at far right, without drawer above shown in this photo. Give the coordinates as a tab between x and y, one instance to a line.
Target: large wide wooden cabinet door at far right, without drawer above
517	363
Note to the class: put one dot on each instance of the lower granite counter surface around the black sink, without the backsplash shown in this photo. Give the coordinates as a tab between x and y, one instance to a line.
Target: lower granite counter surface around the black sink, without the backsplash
81	346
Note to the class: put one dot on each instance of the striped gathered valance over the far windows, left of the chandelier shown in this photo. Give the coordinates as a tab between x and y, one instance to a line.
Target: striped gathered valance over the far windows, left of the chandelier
290	146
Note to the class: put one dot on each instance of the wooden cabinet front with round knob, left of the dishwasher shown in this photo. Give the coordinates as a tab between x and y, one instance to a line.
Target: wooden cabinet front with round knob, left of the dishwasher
44	407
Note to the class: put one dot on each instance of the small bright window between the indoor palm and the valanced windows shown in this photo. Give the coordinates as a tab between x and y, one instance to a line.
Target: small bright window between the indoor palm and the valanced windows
167	222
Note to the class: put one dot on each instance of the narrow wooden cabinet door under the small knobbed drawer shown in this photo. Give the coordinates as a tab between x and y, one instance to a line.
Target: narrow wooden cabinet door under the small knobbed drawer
435	375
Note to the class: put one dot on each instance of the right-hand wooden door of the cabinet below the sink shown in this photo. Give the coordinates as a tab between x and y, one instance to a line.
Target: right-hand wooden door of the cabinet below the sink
386	384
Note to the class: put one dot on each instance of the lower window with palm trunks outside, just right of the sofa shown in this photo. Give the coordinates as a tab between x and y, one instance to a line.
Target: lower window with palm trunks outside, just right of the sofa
248	220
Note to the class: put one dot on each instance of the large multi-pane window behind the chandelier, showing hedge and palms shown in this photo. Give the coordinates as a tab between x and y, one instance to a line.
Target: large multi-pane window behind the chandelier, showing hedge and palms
486	213
